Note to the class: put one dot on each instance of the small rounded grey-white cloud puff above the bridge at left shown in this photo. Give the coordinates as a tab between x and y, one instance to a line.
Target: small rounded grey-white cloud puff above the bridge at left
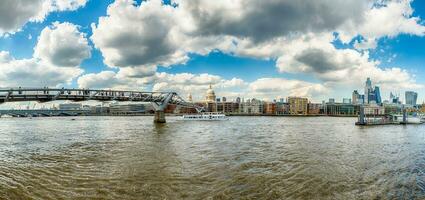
62	45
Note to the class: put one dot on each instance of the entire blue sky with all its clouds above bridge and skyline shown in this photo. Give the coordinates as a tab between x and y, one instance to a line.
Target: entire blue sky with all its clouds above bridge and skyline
249	48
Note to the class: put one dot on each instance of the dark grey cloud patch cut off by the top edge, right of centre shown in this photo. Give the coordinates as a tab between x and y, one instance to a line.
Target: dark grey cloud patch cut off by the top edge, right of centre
263	20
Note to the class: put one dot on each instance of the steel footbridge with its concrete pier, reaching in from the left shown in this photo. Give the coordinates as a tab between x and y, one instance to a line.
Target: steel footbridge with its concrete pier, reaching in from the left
159	100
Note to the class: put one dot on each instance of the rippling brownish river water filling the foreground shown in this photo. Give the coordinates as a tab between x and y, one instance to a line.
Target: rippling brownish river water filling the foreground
243	158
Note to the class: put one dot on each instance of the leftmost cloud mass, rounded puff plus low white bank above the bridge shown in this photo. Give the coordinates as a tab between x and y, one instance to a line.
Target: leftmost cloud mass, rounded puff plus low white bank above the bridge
58	53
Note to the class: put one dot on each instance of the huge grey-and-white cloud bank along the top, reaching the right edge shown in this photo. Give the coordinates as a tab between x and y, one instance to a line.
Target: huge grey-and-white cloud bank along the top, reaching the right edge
165	34
